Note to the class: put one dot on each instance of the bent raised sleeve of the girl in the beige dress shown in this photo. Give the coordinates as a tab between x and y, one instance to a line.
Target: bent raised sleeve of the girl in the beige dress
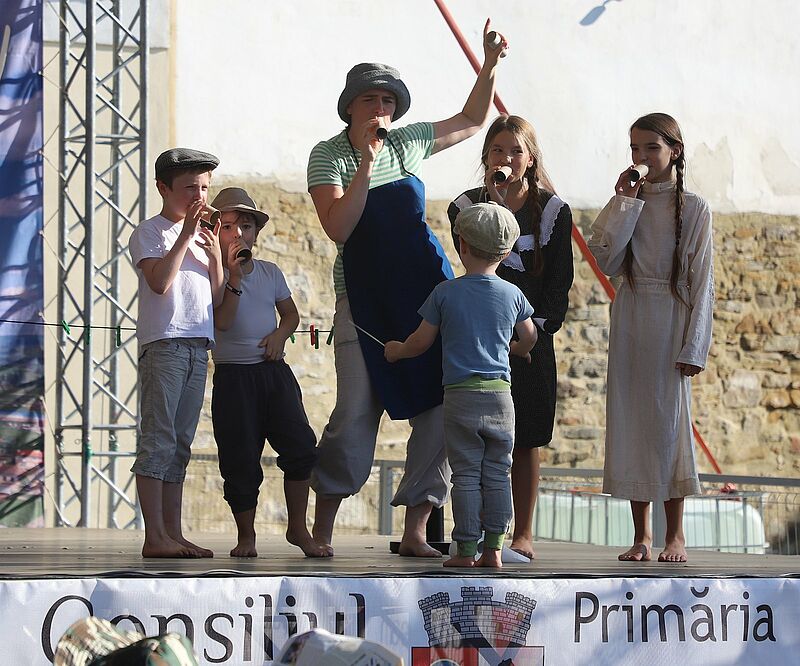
612	231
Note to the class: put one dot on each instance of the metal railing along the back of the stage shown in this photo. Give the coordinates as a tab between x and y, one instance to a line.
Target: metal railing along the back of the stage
761	515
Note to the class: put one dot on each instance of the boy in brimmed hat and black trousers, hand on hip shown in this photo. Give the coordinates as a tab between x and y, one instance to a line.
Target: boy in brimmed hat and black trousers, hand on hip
256	396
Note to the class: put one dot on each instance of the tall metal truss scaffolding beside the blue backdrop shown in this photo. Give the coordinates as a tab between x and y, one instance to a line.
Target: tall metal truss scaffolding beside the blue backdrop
102	196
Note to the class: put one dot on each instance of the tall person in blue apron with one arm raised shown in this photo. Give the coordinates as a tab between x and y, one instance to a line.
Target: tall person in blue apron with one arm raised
371	203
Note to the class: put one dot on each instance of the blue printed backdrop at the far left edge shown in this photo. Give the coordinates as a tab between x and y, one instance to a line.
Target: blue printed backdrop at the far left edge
21	270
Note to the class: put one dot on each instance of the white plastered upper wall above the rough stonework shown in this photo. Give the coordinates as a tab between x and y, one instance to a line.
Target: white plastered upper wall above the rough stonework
256	82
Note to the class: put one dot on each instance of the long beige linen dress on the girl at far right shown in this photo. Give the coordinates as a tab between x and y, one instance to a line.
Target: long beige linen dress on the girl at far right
649	444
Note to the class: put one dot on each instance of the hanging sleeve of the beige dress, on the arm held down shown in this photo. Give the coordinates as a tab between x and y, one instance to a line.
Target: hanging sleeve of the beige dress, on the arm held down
701	292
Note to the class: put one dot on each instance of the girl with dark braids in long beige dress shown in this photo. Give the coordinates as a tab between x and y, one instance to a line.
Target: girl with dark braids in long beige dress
657	237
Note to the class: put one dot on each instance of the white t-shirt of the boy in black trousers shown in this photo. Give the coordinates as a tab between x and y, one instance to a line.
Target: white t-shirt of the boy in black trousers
255	317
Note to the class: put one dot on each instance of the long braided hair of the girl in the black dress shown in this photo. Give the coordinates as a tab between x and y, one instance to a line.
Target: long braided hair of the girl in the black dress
524	133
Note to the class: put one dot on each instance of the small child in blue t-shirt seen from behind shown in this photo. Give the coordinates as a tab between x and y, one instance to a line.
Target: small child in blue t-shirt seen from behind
477	314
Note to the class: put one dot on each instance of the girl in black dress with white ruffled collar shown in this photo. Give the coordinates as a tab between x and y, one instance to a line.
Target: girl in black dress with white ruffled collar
540	265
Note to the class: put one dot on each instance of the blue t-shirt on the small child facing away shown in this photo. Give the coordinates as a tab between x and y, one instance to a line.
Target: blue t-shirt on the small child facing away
476	315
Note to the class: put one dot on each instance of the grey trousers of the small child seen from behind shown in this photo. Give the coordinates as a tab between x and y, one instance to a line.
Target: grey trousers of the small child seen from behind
479	437
